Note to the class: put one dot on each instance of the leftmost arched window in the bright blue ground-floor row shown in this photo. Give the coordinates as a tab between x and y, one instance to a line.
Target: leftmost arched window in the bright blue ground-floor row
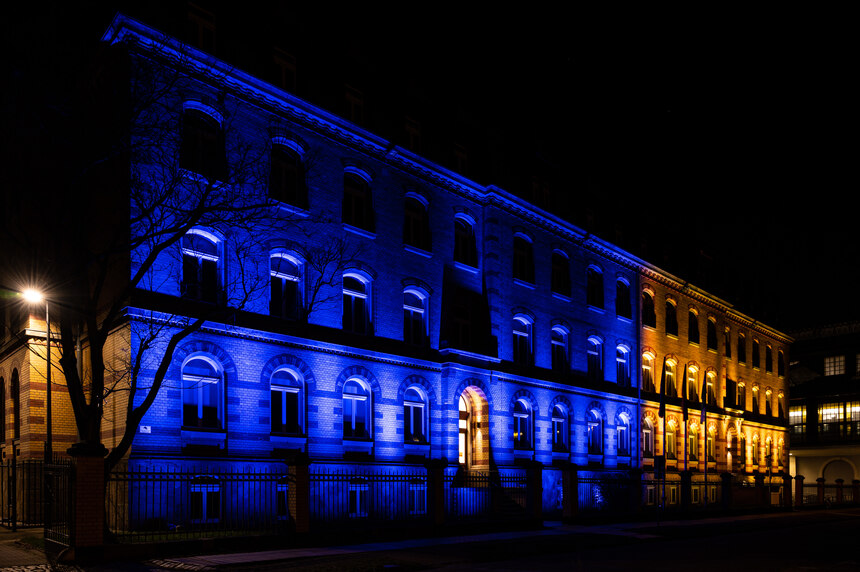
202	393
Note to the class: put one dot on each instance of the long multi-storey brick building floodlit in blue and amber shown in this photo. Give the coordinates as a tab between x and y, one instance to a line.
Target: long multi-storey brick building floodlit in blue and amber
466	325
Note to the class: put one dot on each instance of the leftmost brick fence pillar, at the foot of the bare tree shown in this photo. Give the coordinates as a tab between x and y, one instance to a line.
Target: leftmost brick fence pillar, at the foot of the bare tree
88	523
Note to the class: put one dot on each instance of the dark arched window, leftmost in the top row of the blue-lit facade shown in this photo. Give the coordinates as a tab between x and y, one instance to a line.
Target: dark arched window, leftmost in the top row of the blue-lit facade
202	150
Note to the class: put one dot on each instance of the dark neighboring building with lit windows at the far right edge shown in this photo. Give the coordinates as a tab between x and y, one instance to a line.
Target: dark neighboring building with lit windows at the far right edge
824	410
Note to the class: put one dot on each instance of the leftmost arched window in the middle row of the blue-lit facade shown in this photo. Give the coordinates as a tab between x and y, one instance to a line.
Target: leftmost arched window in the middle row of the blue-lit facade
201	267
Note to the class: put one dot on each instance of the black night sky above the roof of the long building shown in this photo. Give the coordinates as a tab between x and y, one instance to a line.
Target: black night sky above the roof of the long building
717	146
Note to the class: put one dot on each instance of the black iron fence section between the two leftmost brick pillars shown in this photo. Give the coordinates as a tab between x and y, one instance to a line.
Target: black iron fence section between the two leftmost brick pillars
149	505
